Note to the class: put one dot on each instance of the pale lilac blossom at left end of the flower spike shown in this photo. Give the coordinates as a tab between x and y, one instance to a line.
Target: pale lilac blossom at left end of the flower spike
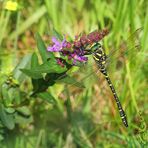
57	46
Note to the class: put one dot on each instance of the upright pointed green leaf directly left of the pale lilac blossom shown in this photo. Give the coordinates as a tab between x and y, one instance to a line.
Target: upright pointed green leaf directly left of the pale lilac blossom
42	48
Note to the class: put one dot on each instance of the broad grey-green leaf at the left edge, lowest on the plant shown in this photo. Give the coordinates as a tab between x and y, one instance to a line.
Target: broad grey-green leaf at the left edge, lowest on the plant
7	119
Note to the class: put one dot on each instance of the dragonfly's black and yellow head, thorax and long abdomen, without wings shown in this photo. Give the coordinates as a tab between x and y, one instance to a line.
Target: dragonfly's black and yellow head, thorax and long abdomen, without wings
100	57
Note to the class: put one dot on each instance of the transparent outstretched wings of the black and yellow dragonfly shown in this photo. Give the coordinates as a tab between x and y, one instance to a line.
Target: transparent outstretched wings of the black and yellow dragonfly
116	56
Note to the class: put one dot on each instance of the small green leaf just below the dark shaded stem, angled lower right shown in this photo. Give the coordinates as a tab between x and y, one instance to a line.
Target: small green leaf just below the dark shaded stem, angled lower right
48	97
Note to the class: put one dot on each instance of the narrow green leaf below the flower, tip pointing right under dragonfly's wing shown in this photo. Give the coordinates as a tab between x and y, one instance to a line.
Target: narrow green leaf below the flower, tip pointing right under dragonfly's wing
70	80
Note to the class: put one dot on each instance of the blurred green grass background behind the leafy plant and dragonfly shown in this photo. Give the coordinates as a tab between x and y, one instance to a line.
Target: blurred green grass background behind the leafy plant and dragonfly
92	120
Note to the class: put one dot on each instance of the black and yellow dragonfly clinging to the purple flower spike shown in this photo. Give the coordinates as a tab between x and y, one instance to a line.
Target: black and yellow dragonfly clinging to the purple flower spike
102	59
